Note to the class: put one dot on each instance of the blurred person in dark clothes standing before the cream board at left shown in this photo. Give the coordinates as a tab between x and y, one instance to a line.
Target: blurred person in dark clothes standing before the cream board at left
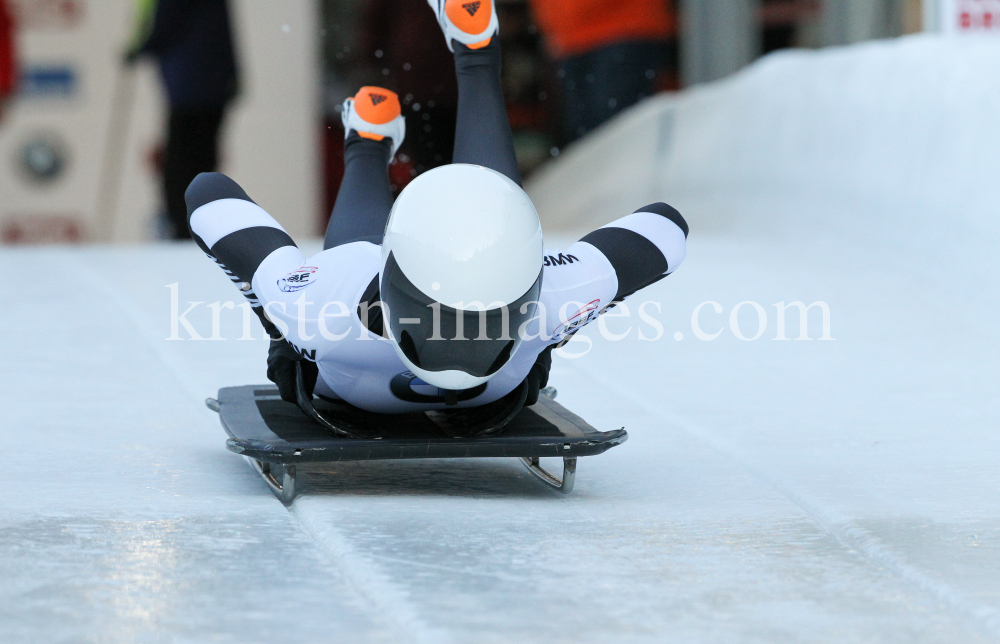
192	43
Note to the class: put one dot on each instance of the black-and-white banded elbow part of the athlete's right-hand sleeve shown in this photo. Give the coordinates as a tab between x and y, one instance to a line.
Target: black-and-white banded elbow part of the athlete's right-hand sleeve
643	247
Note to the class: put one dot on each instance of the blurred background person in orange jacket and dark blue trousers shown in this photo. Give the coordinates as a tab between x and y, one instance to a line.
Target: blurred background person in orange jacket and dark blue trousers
609	54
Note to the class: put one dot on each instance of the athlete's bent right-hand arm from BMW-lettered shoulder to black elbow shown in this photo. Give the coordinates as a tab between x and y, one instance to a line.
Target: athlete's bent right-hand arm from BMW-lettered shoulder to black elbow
610	264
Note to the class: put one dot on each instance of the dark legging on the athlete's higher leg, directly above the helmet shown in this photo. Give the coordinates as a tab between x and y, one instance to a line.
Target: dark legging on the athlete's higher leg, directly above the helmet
482	131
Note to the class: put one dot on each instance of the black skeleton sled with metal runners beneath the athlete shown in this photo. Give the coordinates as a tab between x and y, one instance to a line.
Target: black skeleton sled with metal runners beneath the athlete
275	436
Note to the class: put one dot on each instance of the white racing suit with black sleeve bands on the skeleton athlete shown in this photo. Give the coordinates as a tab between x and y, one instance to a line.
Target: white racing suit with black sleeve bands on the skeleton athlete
327	308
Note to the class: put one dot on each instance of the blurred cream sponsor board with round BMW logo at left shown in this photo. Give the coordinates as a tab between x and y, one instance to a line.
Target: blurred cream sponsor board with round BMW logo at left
78	142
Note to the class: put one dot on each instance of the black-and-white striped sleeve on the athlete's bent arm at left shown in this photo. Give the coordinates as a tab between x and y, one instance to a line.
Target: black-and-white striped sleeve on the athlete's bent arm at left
236	233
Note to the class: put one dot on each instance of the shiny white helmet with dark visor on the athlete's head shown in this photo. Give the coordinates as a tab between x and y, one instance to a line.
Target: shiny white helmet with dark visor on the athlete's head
462	252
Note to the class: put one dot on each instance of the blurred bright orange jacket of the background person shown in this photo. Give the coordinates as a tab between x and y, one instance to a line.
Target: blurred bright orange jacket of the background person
576	26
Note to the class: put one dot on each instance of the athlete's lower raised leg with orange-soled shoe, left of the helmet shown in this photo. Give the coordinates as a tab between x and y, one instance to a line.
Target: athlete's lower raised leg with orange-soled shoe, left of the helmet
374	131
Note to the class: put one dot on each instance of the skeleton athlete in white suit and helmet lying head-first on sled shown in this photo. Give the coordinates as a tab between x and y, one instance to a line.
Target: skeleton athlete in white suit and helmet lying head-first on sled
447	298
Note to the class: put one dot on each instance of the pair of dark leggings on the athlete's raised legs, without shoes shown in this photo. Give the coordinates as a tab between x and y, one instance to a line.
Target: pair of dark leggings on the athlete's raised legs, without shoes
482	137
